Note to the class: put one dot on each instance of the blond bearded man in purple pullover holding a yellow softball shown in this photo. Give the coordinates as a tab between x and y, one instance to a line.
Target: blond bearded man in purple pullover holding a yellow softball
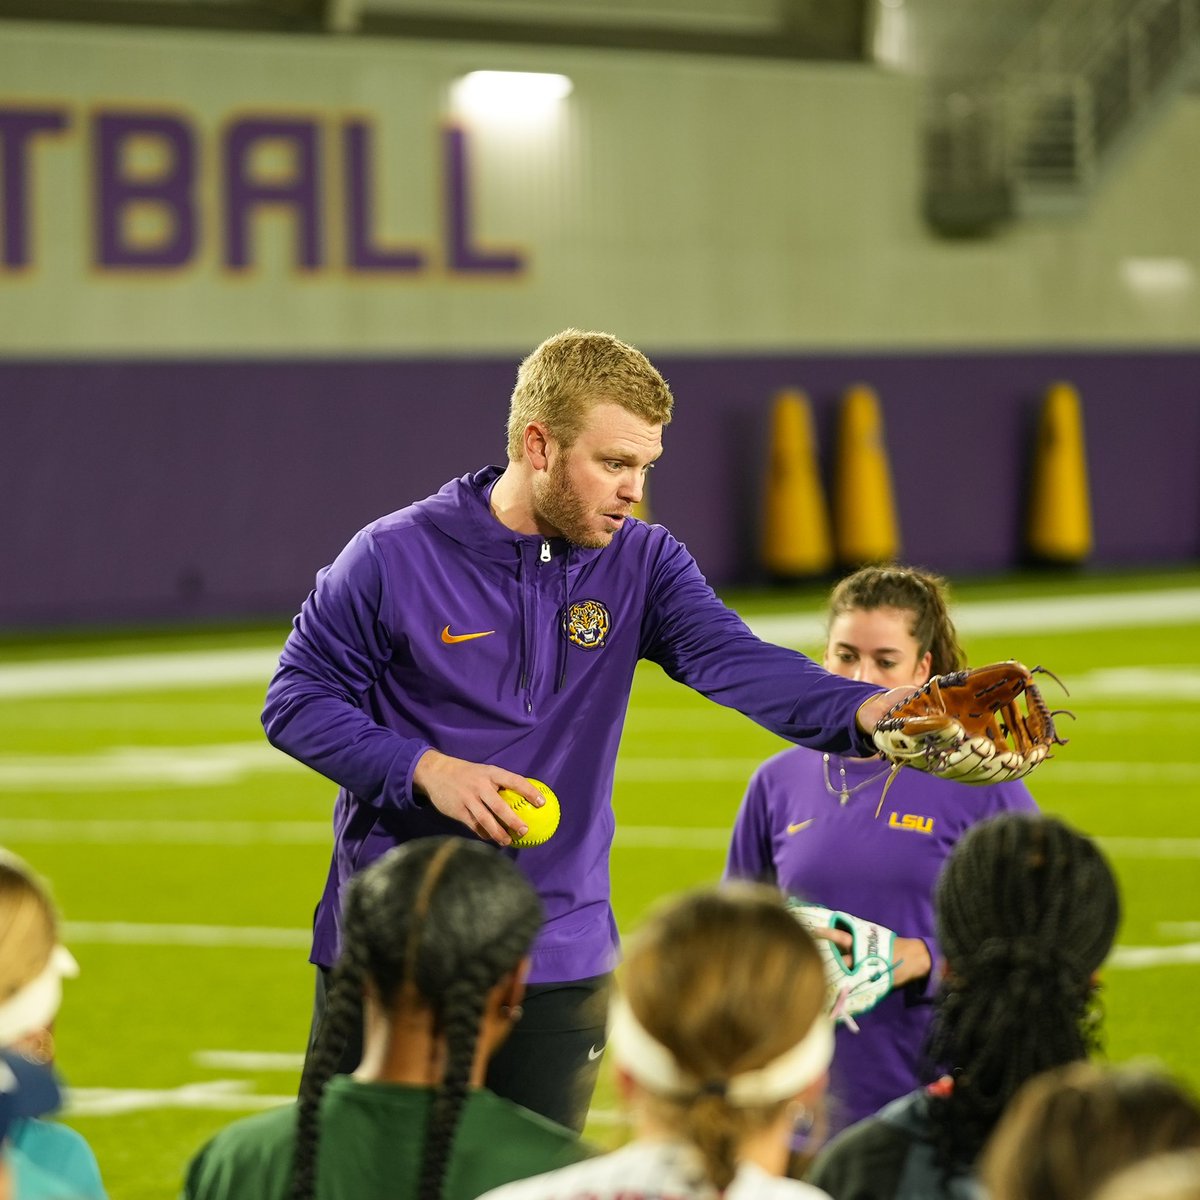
490	633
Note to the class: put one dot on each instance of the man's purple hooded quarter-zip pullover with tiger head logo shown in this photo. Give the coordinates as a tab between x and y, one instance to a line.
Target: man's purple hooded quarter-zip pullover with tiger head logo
437	627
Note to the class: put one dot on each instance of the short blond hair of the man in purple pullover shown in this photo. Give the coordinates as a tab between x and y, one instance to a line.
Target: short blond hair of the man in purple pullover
572	373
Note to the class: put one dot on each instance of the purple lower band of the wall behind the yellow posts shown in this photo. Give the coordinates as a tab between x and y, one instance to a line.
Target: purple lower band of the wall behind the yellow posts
165	491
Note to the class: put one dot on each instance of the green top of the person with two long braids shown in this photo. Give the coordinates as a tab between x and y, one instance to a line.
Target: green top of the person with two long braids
373	1139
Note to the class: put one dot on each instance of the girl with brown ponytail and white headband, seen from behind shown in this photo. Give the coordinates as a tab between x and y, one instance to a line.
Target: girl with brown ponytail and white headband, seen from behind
721	1046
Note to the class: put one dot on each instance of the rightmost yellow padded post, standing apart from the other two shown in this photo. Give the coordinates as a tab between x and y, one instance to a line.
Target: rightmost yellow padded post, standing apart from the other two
1060	518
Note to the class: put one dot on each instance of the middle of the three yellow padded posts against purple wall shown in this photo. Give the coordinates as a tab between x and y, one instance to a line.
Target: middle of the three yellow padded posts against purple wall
865	502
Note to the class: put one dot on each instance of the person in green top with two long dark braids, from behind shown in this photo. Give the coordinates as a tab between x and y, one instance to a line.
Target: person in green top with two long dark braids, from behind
436	941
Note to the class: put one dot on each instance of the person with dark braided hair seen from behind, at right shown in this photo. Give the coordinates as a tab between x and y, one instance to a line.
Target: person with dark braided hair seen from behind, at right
1028	911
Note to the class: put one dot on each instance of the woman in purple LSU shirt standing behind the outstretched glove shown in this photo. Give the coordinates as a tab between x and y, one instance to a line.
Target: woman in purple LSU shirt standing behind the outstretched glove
819	827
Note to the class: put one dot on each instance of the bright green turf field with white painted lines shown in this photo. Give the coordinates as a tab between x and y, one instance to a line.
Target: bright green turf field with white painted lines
187	855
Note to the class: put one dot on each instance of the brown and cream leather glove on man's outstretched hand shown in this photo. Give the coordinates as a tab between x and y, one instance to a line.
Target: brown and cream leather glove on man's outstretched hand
970	725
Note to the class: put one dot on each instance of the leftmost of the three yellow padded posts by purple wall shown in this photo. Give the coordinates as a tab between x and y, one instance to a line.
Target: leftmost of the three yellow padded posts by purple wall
796	524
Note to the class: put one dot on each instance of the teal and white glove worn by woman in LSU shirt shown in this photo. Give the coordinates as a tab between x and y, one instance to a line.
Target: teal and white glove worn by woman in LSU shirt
857	987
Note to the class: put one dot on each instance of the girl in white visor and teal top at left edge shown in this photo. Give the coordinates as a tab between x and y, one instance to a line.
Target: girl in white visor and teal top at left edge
46	1160
